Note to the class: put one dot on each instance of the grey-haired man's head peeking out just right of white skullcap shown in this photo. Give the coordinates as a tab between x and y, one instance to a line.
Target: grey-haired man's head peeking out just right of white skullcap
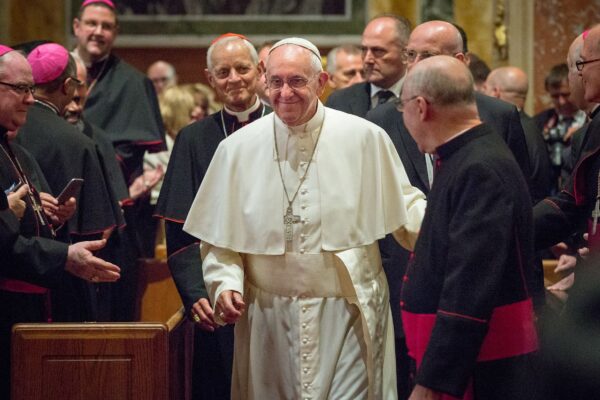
344	65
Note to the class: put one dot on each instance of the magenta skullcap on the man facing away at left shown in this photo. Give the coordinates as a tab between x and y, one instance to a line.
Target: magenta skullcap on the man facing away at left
47	62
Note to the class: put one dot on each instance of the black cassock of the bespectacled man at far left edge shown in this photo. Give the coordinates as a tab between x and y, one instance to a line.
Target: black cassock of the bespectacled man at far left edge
31	260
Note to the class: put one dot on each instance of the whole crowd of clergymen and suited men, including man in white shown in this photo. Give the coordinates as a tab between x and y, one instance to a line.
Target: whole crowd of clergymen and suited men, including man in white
385	244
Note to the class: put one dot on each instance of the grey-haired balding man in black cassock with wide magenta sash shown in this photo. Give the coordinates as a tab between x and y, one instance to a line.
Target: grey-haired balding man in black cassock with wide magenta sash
467	311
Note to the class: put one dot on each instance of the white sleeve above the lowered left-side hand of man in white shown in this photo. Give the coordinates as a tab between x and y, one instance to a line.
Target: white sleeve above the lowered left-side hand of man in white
223	269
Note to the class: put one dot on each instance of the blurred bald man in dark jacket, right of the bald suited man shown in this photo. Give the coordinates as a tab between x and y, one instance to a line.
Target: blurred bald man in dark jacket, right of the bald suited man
511	85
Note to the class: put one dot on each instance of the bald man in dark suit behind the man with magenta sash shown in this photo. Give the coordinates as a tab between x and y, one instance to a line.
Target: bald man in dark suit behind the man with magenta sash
435	37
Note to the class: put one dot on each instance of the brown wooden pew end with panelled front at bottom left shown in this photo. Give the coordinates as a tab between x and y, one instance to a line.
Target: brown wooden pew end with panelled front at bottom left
98	361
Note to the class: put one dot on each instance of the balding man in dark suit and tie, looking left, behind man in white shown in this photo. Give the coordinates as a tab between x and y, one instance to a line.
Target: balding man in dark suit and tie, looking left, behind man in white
383	41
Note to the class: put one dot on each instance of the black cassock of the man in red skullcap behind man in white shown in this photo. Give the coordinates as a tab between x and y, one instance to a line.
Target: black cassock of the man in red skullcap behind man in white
194	148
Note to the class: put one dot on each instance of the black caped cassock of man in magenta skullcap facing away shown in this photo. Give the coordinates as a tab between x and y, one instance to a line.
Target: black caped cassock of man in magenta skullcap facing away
64	153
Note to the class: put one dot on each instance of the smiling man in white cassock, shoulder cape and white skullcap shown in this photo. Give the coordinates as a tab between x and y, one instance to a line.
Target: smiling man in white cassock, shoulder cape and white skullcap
289	214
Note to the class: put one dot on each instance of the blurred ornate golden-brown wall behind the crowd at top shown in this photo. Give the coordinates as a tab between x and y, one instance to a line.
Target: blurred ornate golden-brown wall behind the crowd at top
538	31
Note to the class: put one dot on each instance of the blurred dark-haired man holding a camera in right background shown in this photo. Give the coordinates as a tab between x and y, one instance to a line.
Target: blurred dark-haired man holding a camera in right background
559	122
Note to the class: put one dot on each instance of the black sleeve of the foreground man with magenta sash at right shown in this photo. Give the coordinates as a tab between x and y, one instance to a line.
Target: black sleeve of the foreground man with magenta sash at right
480	242
